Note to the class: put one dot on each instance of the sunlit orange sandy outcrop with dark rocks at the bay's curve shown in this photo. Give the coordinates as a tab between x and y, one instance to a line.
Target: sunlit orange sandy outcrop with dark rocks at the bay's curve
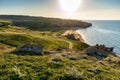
73	35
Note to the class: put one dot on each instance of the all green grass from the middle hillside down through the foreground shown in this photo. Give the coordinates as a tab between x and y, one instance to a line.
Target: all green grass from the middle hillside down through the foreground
60	66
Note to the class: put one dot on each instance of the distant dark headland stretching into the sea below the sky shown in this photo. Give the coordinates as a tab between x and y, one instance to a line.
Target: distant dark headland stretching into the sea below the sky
44	23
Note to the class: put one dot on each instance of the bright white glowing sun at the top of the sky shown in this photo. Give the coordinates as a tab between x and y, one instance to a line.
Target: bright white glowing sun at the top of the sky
70	6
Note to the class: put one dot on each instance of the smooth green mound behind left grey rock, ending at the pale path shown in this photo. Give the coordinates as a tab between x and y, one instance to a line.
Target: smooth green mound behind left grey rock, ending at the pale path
19	39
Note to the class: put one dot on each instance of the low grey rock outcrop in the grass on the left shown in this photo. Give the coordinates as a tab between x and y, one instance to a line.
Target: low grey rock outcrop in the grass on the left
33	48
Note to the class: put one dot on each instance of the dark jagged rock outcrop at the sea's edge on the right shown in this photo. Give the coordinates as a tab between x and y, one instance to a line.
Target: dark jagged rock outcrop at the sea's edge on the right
99	50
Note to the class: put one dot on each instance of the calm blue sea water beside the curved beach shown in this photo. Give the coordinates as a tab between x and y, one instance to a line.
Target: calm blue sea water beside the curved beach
103	32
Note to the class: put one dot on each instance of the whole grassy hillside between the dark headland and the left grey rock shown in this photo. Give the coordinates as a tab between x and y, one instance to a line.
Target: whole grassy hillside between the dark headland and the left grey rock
15	36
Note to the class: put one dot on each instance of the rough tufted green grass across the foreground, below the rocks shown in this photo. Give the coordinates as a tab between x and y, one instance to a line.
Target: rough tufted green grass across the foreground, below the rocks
56	67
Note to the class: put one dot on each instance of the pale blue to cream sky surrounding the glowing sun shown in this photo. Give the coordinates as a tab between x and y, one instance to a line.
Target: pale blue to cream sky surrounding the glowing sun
88	9
